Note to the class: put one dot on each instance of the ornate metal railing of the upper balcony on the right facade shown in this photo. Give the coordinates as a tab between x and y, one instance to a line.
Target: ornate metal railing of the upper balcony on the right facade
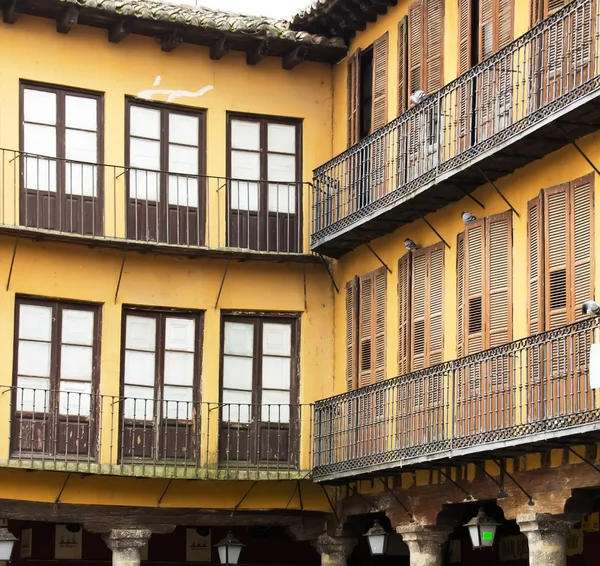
542	72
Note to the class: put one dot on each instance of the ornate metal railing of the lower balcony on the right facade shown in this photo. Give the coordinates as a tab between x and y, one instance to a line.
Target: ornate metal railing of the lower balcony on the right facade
529	389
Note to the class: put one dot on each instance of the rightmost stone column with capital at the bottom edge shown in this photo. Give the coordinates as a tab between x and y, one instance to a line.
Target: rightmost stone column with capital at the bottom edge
547	538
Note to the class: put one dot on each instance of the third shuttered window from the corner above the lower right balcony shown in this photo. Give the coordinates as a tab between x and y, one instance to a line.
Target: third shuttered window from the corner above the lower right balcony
484	284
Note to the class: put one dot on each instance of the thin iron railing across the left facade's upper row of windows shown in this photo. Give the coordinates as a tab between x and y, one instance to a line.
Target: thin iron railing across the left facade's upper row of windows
107	202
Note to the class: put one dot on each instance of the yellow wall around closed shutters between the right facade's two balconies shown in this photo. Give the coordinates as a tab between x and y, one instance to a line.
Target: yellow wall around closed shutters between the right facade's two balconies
523	185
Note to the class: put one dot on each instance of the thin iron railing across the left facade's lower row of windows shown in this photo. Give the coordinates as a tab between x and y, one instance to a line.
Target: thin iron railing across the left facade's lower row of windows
66	430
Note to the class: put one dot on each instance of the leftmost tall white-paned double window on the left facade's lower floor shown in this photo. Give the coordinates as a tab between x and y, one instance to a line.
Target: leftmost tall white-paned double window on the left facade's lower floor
56	375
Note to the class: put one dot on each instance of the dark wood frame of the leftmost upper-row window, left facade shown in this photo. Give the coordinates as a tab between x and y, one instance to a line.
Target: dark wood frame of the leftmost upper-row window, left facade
59	219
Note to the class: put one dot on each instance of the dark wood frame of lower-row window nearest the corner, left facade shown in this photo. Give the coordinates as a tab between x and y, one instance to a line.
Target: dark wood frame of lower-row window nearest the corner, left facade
230	432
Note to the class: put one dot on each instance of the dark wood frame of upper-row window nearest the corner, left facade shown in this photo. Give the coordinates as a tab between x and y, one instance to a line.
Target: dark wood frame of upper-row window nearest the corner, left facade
258	237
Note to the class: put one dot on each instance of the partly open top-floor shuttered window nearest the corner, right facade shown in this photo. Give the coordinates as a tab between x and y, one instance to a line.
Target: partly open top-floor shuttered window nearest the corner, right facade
367	90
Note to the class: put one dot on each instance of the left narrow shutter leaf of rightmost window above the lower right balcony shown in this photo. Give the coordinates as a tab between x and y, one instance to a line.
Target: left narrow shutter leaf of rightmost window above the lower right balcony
535	262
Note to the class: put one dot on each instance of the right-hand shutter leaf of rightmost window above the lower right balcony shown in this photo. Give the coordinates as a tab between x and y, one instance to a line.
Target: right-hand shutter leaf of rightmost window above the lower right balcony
582	226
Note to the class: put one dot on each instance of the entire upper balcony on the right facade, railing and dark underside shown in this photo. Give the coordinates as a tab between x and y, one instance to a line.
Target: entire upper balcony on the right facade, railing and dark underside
526	101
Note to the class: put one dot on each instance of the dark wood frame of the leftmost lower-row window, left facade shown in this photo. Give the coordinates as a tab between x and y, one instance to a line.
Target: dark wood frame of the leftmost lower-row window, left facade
82	432
